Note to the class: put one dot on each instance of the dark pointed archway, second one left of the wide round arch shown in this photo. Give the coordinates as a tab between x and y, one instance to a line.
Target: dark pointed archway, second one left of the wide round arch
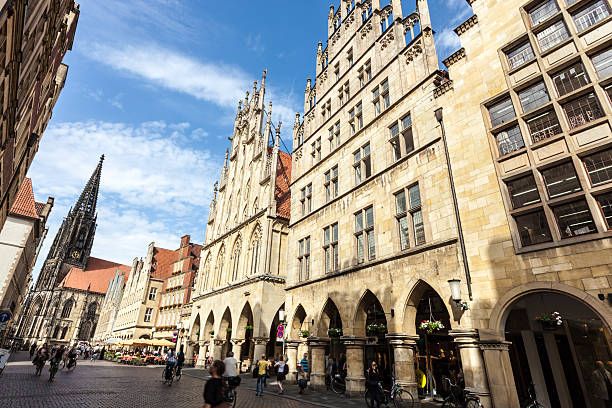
372	321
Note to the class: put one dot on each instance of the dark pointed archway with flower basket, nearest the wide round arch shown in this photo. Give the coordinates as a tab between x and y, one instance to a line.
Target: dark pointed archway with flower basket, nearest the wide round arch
436	355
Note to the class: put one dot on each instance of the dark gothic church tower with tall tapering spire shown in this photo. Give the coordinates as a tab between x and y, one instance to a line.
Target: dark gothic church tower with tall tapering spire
74	240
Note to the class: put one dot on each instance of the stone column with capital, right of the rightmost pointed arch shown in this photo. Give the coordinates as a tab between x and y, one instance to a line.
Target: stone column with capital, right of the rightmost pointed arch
476	381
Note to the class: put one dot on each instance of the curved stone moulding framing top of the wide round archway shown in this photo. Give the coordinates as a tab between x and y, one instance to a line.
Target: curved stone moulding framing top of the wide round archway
502	308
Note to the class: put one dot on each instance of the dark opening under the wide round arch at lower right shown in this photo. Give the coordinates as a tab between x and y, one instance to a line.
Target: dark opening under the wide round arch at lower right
561	346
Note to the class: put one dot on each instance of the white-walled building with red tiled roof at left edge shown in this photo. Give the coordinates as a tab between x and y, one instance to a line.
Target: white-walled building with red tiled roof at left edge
20	241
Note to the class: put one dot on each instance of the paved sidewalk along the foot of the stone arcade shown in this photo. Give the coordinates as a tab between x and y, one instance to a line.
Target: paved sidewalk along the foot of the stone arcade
326	399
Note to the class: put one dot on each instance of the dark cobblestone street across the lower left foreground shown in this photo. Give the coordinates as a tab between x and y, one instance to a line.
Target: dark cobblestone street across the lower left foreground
102	384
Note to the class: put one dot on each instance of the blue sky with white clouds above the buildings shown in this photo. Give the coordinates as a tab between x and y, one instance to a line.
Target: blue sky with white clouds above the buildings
154	84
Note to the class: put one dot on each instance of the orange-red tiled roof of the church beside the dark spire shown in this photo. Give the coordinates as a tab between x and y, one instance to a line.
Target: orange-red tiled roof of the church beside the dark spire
96	276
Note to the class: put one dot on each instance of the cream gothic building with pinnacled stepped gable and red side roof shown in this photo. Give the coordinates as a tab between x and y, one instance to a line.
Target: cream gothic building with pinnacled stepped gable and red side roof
239	292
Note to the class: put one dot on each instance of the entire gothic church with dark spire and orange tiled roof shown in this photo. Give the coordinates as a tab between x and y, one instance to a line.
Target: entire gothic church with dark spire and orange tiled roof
64	304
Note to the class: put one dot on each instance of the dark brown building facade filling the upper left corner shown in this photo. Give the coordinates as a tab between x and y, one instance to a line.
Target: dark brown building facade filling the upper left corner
34	38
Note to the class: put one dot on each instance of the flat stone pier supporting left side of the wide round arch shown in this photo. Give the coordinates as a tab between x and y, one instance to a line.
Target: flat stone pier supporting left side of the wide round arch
495	350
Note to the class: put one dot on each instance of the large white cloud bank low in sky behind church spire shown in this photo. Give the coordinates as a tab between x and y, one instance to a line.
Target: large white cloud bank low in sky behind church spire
153	187
